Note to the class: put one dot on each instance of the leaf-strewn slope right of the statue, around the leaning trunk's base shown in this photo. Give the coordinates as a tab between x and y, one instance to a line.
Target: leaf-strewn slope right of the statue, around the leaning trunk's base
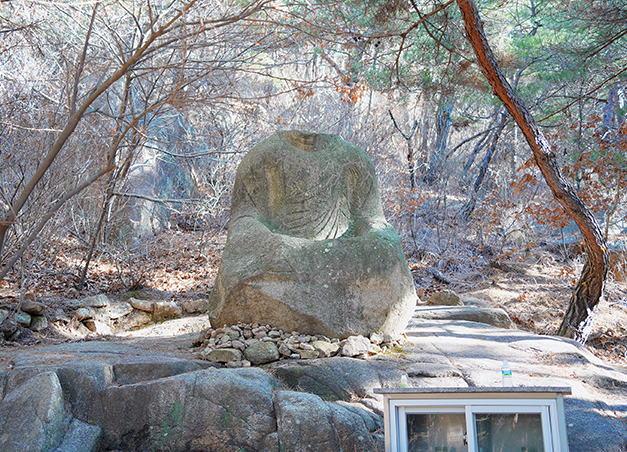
535	291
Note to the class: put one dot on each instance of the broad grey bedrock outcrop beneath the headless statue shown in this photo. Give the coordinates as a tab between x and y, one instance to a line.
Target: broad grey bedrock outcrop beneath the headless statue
151	391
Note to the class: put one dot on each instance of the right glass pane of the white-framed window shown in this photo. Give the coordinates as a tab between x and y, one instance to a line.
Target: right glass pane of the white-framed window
512	432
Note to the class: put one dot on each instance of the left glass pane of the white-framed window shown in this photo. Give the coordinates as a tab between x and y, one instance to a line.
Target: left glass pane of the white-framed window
436	432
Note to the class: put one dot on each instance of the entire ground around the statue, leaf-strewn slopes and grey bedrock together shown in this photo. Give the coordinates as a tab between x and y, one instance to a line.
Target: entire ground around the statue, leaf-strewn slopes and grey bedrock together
115	342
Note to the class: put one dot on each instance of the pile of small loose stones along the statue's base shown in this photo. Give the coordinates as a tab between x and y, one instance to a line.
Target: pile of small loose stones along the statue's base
243	345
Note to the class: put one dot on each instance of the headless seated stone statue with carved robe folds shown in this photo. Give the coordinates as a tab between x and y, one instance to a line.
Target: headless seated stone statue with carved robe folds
308	247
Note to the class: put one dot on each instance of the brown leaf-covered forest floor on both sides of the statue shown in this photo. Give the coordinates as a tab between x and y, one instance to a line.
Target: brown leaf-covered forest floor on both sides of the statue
534	288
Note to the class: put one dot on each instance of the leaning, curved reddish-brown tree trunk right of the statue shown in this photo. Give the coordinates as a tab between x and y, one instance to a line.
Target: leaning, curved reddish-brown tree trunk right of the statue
589	290
